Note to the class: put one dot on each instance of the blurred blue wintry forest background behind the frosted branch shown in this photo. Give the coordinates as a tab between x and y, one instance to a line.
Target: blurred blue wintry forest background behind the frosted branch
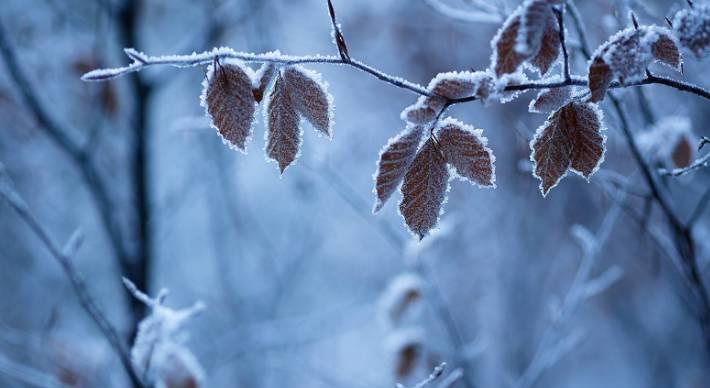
304	287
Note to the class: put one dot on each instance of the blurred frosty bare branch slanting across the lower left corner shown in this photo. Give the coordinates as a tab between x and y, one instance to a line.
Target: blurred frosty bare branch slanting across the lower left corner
13	198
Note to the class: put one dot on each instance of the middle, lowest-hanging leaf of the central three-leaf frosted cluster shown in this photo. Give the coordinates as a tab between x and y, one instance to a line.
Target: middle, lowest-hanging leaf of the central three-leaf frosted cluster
424	190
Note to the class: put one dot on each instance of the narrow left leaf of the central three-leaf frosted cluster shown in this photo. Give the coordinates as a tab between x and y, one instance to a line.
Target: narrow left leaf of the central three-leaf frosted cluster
393	163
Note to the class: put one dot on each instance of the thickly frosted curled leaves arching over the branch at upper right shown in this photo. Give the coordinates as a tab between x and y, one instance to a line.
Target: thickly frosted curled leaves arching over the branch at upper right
627	54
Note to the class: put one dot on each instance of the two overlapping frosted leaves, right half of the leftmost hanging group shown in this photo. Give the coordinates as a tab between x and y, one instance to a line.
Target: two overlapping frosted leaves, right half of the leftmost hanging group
296	93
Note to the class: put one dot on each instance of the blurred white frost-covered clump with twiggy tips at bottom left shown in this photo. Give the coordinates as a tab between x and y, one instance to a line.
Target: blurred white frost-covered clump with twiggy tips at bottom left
158	351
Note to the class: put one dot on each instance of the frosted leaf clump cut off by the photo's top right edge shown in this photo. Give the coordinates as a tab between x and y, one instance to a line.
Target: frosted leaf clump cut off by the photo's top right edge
692	26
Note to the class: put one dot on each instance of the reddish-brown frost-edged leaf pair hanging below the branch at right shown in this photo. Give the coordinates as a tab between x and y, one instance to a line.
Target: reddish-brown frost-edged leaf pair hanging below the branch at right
570	139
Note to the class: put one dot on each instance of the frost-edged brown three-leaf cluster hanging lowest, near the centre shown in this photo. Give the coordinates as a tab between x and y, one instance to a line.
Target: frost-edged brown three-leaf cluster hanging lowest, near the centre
424	171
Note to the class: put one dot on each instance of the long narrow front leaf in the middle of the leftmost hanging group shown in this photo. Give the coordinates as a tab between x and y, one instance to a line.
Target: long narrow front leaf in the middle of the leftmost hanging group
283	136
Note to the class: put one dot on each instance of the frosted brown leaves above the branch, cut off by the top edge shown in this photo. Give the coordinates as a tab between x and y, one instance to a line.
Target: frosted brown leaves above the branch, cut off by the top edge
531	35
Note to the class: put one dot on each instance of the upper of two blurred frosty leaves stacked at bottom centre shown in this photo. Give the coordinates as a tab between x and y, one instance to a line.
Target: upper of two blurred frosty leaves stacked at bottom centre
401	298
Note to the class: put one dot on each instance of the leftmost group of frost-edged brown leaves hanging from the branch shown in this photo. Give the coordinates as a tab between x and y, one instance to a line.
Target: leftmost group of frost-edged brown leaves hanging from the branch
231	94
